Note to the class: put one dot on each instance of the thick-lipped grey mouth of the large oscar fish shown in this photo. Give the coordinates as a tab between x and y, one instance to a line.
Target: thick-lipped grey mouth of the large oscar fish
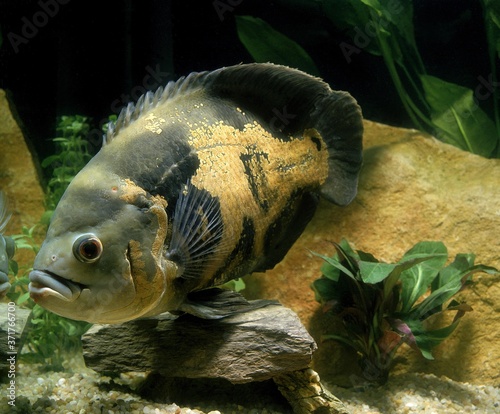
44	283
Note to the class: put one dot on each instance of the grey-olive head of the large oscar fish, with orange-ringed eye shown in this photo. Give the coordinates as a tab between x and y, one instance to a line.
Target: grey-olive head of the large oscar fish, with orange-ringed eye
102	260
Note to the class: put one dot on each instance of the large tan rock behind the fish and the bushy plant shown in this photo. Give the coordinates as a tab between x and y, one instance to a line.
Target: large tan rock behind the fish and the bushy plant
412	188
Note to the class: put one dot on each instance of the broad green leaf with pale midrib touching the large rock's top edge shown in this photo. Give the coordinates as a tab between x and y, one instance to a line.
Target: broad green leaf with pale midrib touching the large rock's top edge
458	118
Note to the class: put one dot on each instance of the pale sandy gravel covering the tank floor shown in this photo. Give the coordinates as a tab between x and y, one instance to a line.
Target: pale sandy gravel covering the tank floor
87	392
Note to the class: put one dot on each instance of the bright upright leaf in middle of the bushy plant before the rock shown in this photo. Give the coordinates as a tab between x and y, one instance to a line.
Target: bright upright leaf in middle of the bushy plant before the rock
417	279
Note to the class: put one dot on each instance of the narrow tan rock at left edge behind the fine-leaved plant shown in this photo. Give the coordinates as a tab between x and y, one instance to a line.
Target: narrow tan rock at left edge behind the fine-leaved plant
18	177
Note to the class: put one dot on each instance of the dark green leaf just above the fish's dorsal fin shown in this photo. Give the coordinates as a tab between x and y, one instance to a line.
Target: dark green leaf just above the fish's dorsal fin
266	44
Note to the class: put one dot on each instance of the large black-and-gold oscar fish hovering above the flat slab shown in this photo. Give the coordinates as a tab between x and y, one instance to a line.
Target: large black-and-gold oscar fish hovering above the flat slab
208	179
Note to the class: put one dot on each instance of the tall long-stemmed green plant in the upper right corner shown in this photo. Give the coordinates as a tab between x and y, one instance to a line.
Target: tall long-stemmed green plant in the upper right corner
450	111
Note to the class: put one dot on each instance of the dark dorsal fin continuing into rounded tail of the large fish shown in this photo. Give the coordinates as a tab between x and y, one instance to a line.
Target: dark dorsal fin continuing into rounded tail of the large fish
285	99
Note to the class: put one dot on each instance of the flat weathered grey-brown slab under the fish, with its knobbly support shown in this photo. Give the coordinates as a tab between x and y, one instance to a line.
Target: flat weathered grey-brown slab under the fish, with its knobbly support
262	343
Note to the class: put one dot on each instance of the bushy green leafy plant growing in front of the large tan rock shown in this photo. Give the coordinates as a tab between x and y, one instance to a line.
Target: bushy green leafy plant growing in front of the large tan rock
384	305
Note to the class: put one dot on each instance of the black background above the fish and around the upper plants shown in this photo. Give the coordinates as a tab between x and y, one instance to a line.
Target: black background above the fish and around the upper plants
91	57
